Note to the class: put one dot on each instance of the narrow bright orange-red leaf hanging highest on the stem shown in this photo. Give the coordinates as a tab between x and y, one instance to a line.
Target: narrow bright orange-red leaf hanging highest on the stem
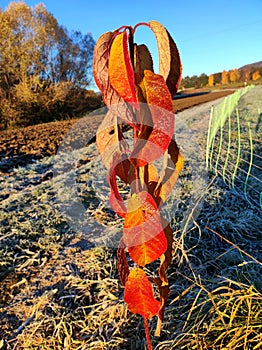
121	71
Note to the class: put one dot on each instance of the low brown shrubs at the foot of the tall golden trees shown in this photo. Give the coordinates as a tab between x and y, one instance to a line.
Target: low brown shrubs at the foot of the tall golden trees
45	103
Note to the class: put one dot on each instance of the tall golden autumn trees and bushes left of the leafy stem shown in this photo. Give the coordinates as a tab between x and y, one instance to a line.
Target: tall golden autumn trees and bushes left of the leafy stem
45	70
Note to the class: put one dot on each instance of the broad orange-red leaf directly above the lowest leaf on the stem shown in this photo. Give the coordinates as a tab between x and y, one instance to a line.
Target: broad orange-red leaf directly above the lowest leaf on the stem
143	232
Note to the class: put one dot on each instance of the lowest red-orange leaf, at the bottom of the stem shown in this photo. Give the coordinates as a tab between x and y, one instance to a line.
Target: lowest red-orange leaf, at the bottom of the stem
139	294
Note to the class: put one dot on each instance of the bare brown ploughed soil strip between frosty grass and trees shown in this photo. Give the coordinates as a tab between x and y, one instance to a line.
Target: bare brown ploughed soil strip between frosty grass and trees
25	145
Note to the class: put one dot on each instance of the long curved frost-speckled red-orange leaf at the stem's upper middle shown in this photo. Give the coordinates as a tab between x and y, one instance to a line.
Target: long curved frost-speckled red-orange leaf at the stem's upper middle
150	147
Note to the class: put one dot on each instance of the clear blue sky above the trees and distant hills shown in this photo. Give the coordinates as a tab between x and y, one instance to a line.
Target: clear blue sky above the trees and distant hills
211	35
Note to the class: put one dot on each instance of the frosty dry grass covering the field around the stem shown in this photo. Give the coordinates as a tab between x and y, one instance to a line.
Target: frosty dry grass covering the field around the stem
60	288
